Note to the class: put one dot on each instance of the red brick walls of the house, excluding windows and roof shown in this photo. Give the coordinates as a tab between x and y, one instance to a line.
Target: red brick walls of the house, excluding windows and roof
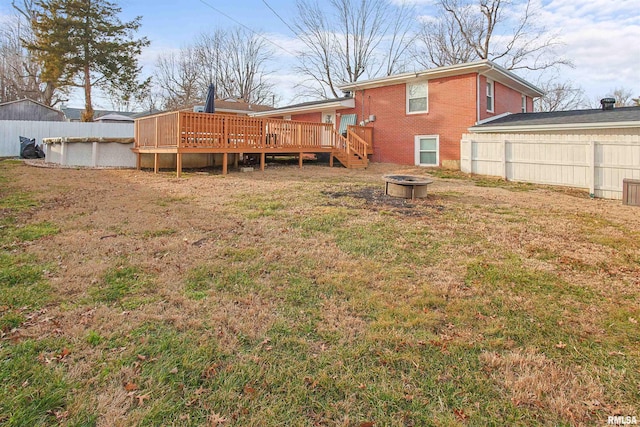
452	110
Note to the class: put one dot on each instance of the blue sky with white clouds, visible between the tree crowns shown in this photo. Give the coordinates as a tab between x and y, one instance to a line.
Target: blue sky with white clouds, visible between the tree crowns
601	37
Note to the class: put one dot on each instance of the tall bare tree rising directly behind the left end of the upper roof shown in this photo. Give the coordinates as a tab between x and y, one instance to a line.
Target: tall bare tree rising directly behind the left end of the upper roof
348	39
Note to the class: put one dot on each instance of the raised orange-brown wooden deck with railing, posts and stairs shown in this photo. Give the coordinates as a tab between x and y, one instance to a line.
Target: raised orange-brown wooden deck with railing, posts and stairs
186	133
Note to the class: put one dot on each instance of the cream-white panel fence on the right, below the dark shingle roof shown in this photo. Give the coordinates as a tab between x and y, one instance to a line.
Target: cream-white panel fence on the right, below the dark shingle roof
598	163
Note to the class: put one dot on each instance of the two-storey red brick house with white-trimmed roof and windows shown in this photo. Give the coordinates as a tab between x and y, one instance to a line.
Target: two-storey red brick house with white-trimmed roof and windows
419	117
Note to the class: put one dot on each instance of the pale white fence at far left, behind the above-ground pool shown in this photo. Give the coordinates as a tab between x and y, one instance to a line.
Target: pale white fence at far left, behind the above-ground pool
11	130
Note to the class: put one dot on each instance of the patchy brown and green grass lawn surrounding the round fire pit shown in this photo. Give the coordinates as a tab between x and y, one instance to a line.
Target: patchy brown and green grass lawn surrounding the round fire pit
307	297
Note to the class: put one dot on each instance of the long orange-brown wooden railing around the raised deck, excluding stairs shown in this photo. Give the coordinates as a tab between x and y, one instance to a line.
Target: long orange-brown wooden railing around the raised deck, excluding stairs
229	132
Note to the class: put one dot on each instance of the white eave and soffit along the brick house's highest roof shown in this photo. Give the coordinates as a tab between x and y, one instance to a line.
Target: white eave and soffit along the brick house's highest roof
486	68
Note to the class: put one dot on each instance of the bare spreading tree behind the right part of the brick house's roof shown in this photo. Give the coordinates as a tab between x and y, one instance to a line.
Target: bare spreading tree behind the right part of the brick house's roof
508	32
